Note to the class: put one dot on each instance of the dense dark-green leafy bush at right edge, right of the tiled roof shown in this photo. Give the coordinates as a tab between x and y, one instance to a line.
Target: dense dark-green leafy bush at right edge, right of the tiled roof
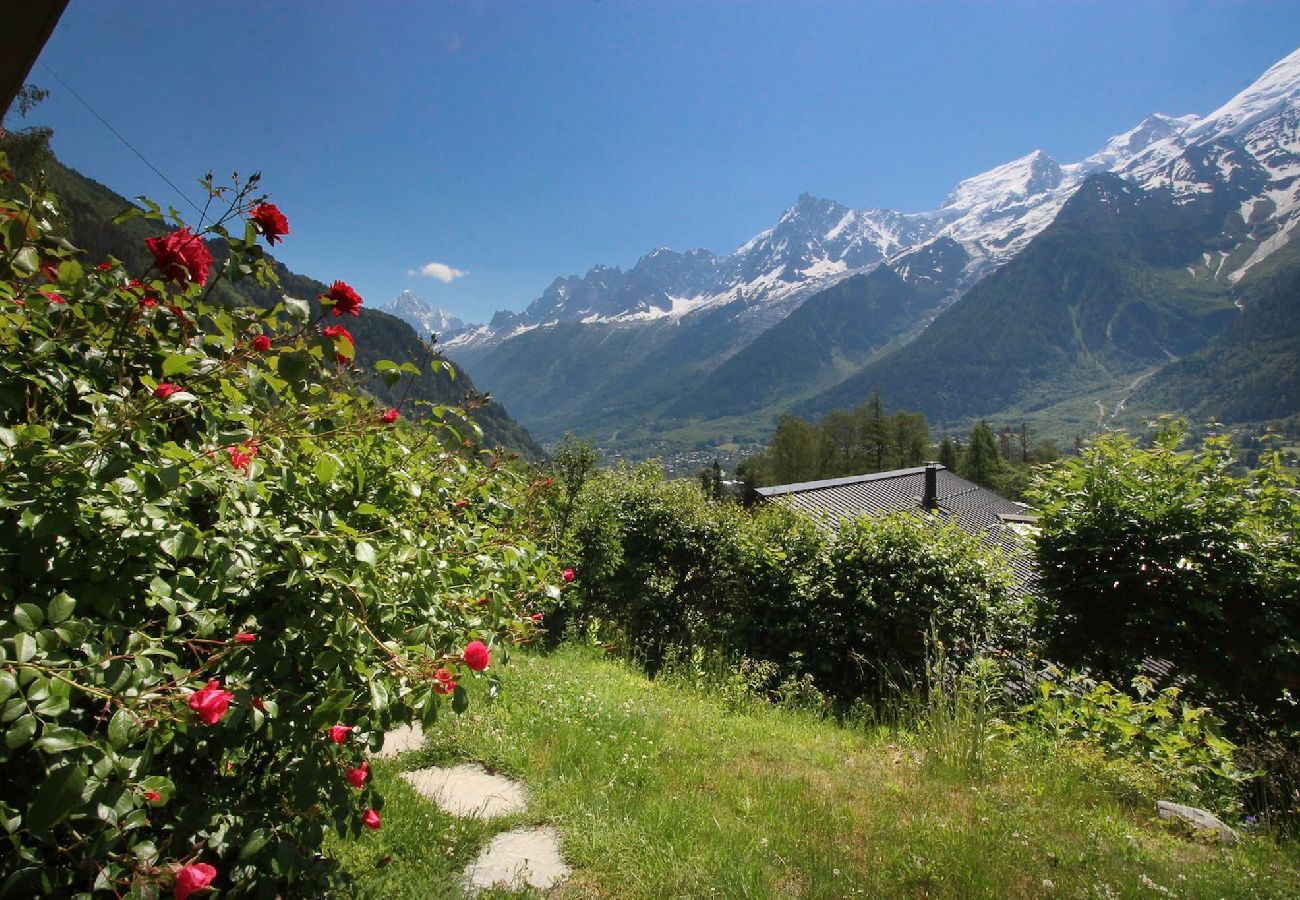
1149	552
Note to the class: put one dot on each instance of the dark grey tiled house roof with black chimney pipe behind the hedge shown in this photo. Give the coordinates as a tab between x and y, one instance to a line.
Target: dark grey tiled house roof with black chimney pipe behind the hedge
974	509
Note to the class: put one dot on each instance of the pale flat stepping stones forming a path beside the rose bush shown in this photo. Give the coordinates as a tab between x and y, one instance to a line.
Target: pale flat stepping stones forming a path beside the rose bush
517	859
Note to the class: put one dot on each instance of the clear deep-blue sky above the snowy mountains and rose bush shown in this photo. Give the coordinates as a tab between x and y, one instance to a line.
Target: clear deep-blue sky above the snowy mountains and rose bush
519	141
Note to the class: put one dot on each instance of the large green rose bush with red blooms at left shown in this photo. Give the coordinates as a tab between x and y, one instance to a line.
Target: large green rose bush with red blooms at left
224	573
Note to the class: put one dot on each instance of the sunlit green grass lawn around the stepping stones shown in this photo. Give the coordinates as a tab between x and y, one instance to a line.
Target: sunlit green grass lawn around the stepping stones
662	793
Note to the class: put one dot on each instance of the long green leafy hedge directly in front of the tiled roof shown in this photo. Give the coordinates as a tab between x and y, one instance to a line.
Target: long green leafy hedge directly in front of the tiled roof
668	568
